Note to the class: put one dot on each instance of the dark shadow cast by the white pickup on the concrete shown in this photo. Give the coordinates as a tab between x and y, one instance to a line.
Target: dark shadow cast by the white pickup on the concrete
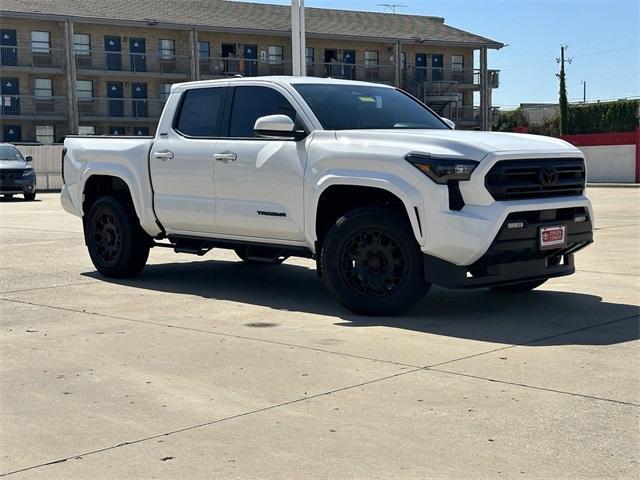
479	315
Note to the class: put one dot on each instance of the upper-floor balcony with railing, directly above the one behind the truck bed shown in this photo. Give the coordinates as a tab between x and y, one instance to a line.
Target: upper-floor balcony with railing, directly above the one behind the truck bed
100	61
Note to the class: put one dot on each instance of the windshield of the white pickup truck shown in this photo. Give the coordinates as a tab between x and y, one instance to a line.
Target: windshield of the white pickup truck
350	107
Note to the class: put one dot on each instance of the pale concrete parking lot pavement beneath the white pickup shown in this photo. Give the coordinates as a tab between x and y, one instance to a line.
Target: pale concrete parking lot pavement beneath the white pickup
209	368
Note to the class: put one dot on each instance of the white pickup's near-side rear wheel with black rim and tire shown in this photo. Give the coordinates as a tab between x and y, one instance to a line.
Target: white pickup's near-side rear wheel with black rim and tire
118	246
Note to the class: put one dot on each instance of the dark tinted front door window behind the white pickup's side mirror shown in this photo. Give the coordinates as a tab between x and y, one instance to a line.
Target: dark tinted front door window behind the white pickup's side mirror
251	103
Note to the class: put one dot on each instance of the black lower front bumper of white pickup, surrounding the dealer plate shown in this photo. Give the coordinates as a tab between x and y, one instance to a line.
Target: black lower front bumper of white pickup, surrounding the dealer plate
515	255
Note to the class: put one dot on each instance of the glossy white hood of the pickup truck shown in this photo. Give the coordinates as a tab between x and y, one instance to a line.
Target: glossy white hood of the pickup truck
469	144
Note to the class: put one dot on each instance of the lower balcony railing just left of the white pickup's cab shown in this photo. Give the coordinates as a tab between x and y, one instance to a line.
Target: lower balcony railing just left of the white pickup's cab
100	108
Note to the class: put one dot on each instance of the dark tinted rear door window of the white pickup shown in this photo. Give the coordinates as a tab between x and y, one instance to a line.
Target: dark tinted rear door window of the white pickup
200	112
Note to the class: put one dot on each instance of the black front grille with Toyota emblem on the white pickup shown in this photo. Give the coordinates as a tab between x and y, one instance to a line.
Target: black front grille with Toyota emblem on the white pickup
525	179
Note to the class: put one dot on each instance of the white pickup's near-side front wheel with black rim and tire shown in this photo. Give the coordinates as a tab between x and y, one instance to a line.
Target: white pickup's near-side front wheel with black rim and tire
372	264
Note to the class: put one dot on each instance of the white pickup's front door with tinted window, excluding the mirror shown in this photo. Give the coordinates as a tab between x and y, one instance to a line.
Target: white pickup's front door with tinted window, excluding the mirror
258	181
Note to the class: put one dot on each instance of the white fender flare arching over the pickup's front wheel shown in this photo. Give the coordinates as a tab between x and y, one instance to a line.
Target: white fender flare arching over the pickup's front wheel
407	193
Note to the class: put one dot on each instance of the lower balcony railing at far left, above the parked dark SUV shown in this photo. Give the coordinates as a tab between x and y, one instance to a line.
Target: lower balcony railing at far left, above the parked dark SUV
29	107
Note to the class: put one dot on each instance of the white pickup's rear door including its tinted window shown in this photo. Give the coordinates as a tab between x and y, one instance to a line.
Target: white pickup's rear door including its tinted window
182	162
